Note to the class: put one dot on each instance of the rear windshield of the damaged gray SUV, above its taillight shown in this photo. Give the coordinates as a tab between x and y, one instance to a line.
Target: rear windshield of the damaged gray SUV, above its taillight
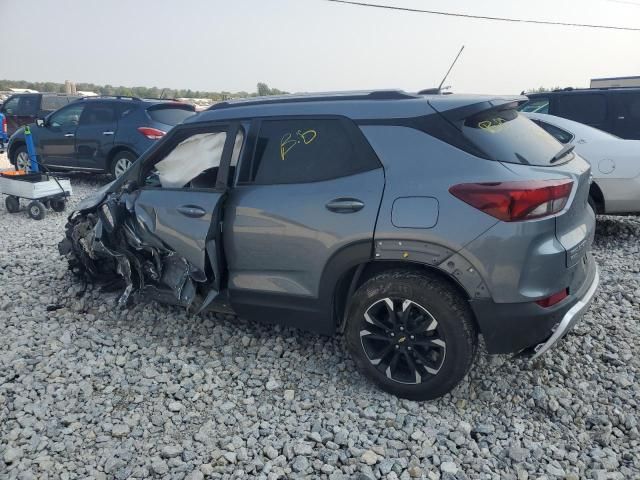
507	136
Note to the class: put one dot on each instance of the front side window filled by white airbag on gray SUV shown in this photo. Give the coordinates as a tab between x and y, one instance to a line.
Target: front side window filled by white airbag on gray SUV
192	163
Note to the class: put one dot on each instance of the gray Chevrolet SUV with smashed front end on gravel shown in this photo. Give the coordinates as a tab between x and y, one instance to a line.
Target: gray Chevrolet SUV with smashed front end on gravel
410	223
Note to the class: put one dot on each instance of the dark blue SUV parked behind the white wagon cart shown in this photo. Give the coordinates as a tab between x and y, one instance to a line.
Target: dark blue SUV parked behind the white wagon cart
99	134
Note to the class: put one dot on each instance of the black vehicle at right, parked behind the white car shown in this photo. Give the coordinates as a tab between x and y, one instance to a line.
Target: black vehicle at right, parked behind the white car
613	110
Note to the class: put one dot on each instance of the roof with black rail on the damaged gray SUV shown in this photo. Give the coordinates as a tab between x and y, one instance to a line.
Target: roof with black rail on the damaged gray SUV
368	104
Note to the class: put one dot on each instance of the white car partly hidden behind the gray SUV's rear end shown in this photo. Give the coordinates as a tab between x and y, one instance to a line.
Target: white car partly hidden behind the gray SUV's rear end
615	162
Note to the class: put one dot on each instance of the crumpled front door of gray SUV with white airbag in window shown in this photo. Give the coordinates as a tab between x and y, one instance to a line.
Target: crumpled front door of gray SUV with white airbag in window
184	188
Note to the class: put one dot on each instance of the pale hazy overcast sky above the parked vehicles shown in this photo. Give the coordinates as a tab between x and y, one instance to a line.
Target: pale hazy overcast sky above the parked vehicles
314	45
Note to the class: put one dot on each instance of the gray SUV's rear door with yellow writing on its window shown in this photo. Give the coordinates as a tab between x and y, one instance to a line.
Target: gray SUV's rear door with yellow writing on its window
302	211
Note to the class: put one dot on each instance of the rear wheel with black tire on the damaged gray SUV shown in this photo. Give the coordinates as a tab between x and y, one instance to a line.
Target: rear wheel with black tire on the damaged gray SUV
452	343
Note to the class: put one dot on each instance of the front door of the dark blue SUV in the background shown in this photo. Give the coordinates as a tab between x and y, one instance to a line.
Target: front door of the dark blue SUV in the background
55	141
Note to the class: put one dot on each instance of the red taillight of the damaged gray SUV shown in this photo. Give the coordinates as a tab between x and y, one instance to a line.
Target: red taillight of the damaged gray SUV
516	201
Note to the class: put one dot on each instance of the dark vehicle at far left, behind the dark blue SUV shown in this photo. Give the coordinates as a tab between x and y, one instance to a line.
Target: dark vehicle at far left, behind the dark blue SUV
25	108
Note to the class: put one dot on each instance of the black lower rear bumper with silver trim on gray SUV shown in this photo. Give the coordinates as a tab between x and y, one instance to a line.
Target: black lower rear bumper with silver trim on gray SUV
514	327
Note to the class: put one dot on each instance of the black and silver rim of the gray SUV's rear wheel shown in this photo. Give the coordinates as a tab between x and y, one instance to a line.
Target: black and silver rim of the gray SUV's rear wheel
402	340
